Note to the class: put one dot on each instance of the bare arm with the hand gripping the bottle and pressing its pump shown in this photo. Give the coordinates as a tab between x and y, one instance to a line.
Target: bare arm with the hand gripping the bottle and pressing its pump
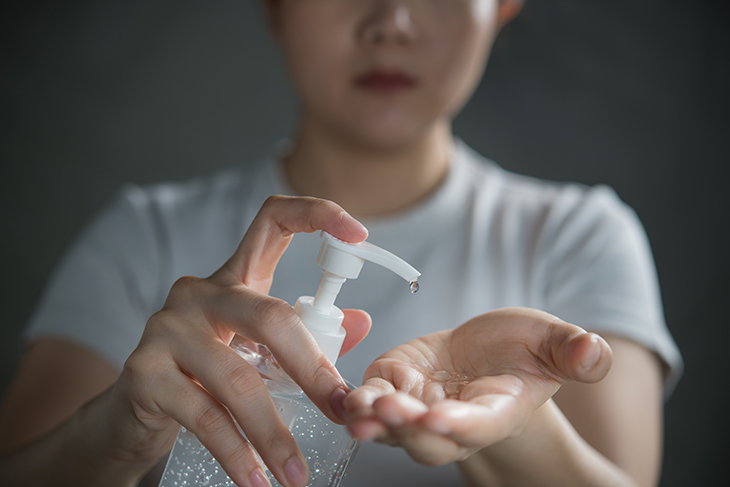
184	373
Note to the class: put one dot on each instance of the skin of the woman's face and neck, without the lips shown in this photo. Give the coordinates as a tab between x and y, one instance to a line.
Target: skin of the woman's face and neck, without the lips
351	142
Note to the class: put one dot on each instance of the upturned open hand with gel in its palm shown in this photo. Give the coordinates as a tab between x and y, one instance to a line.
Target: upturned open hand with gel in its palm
446	395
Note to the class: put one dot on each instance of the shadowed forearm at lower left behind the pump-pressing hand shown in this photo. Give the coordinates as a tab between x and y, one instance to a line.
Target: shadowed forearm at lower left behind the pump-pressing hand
72	454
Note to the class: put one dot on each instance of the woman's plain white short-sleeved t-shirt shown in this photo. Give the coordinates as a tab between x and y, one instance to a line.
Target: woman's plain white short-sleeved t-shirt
485	239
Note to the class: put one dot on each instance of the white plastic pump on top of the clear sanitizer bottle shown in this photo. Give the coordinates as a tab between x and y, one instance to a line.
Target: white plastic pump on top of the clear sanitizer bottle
341	261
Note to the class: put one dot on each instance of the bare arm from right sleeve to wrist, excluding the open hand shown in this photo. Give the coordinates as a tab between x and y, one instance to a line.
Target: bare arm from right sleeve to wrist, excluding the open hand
607	433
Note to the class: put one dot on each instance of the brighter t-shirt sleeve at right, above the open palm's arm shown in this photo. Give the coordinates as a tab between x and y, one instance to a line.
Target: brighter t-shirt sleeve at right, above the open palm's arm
603	277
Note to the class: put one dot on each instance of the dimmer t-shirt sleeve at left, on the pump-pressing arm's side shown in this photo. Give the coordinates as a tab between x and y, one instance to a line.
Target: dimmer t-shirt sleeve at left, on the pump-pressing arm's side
106	286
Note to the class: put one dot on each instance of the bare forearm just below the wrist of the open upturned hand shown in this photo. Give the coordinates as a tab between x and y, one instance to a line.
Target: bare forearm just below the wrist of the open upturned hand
548	452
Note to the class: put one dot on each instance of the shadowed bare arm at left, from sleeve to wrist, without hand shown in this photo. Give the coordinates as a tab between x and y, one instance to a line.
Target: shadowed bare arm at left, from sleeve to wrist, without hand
43	419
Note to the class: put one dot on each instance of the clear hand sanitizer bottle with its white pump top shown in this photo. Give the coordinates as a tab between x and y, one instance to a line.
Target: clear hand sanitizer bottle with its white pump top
327	446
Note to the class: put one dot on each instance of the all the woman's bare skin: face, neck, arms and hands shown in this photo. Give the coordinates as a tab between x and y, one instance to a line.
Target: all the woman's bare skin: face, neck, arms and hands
89	424
